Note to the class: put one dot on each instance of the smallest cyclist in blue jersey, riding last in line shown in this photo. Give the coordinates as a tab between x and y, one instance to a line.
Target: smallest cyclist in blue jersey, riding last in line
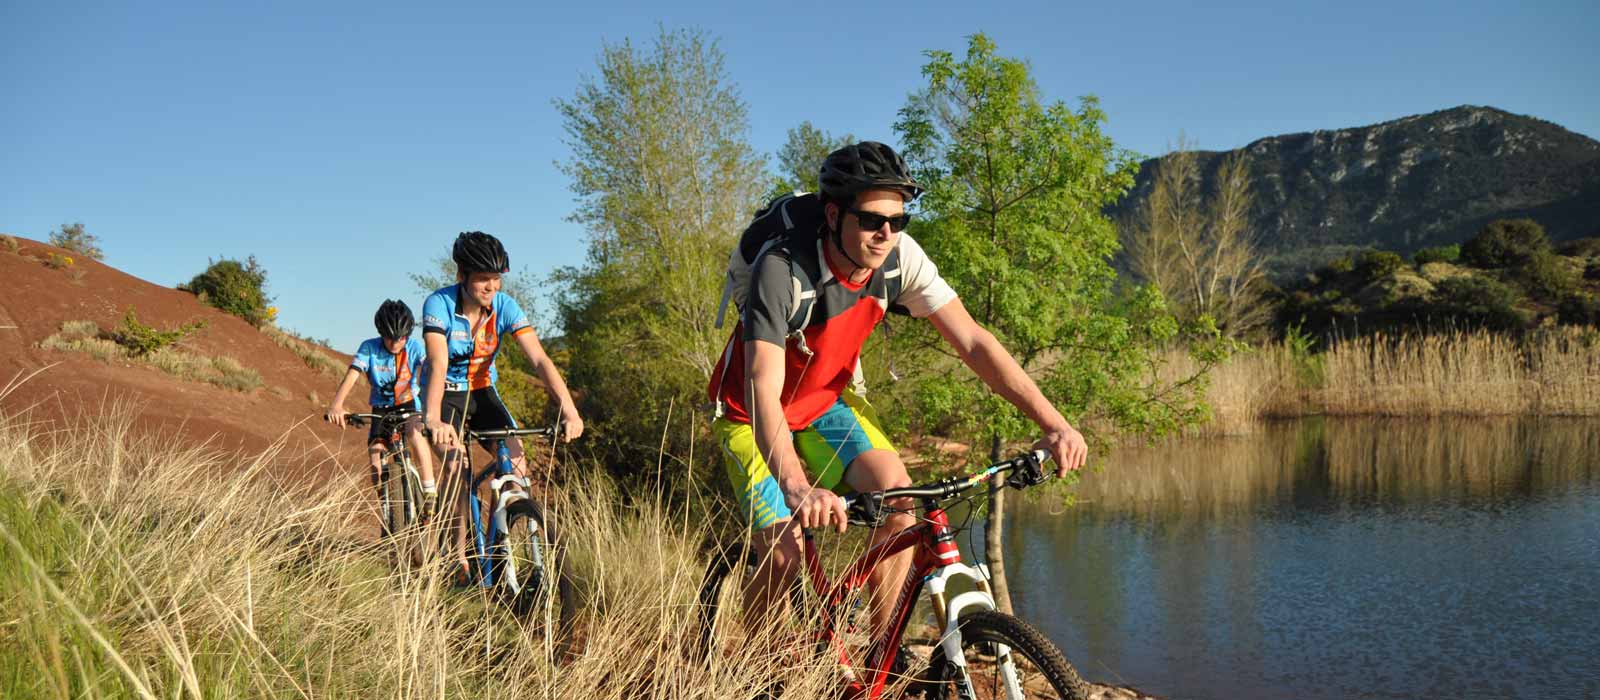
391	364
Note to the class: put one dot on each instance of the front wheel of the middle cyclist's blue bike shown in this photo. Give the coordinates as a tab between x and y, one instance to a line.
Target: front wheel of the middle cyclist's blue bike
529	560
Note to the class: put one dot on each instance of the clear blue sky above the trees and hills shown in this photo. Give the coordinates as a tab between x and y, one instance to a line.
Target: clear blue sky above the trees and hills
345	145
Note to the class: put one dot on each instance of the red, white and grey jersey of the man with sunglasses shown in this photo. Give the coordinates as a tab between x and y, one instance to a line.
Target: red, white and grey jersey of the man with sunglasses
842	319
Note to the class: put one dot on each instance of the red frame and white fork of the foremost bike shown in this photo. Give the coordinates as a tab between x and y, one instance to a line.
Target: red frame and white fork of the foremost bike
935	565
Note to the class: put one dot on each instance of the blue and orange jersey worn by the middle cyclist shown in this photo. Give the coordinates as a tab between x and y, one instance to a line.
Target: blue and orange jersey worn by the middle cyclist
471	349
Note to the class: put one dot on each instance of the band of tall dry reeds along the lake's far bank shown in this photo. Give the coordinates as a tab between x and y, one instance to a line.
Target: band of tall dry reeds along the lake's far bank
1466	373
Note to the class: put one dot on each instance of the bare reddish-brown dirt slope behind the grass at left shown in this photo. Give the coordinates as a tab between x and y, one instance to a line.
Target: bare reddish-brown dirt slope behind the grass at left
66	384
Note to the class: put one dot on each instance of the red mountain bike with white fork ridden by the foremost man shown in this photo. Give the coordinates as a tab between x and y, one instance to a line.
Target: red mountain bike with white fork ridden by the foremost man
982	653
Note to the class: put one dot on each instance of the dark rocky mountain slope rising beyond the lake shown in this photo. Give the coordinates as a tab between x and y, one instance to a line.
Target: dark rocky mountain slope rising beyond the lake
1407	185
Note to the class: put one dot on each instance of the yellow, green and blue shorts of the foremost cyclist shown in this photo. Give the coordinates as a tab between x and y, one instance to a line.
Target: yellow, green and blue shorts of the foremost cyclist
828	447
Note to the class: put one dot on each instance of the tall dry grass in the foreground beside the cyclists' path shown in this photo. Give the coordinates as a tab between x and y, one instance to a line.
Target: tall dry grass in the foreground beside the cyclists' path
132	568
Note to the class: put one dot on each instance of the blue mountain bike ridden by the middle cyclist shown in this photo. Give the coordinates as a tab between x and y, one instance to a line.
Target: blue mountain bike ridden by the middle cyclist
511	541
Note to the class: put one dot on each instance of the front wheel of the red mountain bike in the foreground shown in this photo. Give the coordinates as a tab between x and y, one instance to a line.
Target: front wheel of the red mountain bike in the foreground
1044	670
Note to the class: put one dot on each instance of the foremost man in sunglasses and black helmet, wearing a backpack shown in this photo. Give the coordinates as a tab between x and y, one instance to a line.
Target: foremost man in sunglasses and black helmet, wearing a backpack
790	424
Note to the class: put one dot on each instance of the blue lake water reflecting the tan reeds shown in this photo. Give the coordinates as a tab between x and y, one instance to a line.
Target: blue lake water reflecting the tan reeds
1353	559
